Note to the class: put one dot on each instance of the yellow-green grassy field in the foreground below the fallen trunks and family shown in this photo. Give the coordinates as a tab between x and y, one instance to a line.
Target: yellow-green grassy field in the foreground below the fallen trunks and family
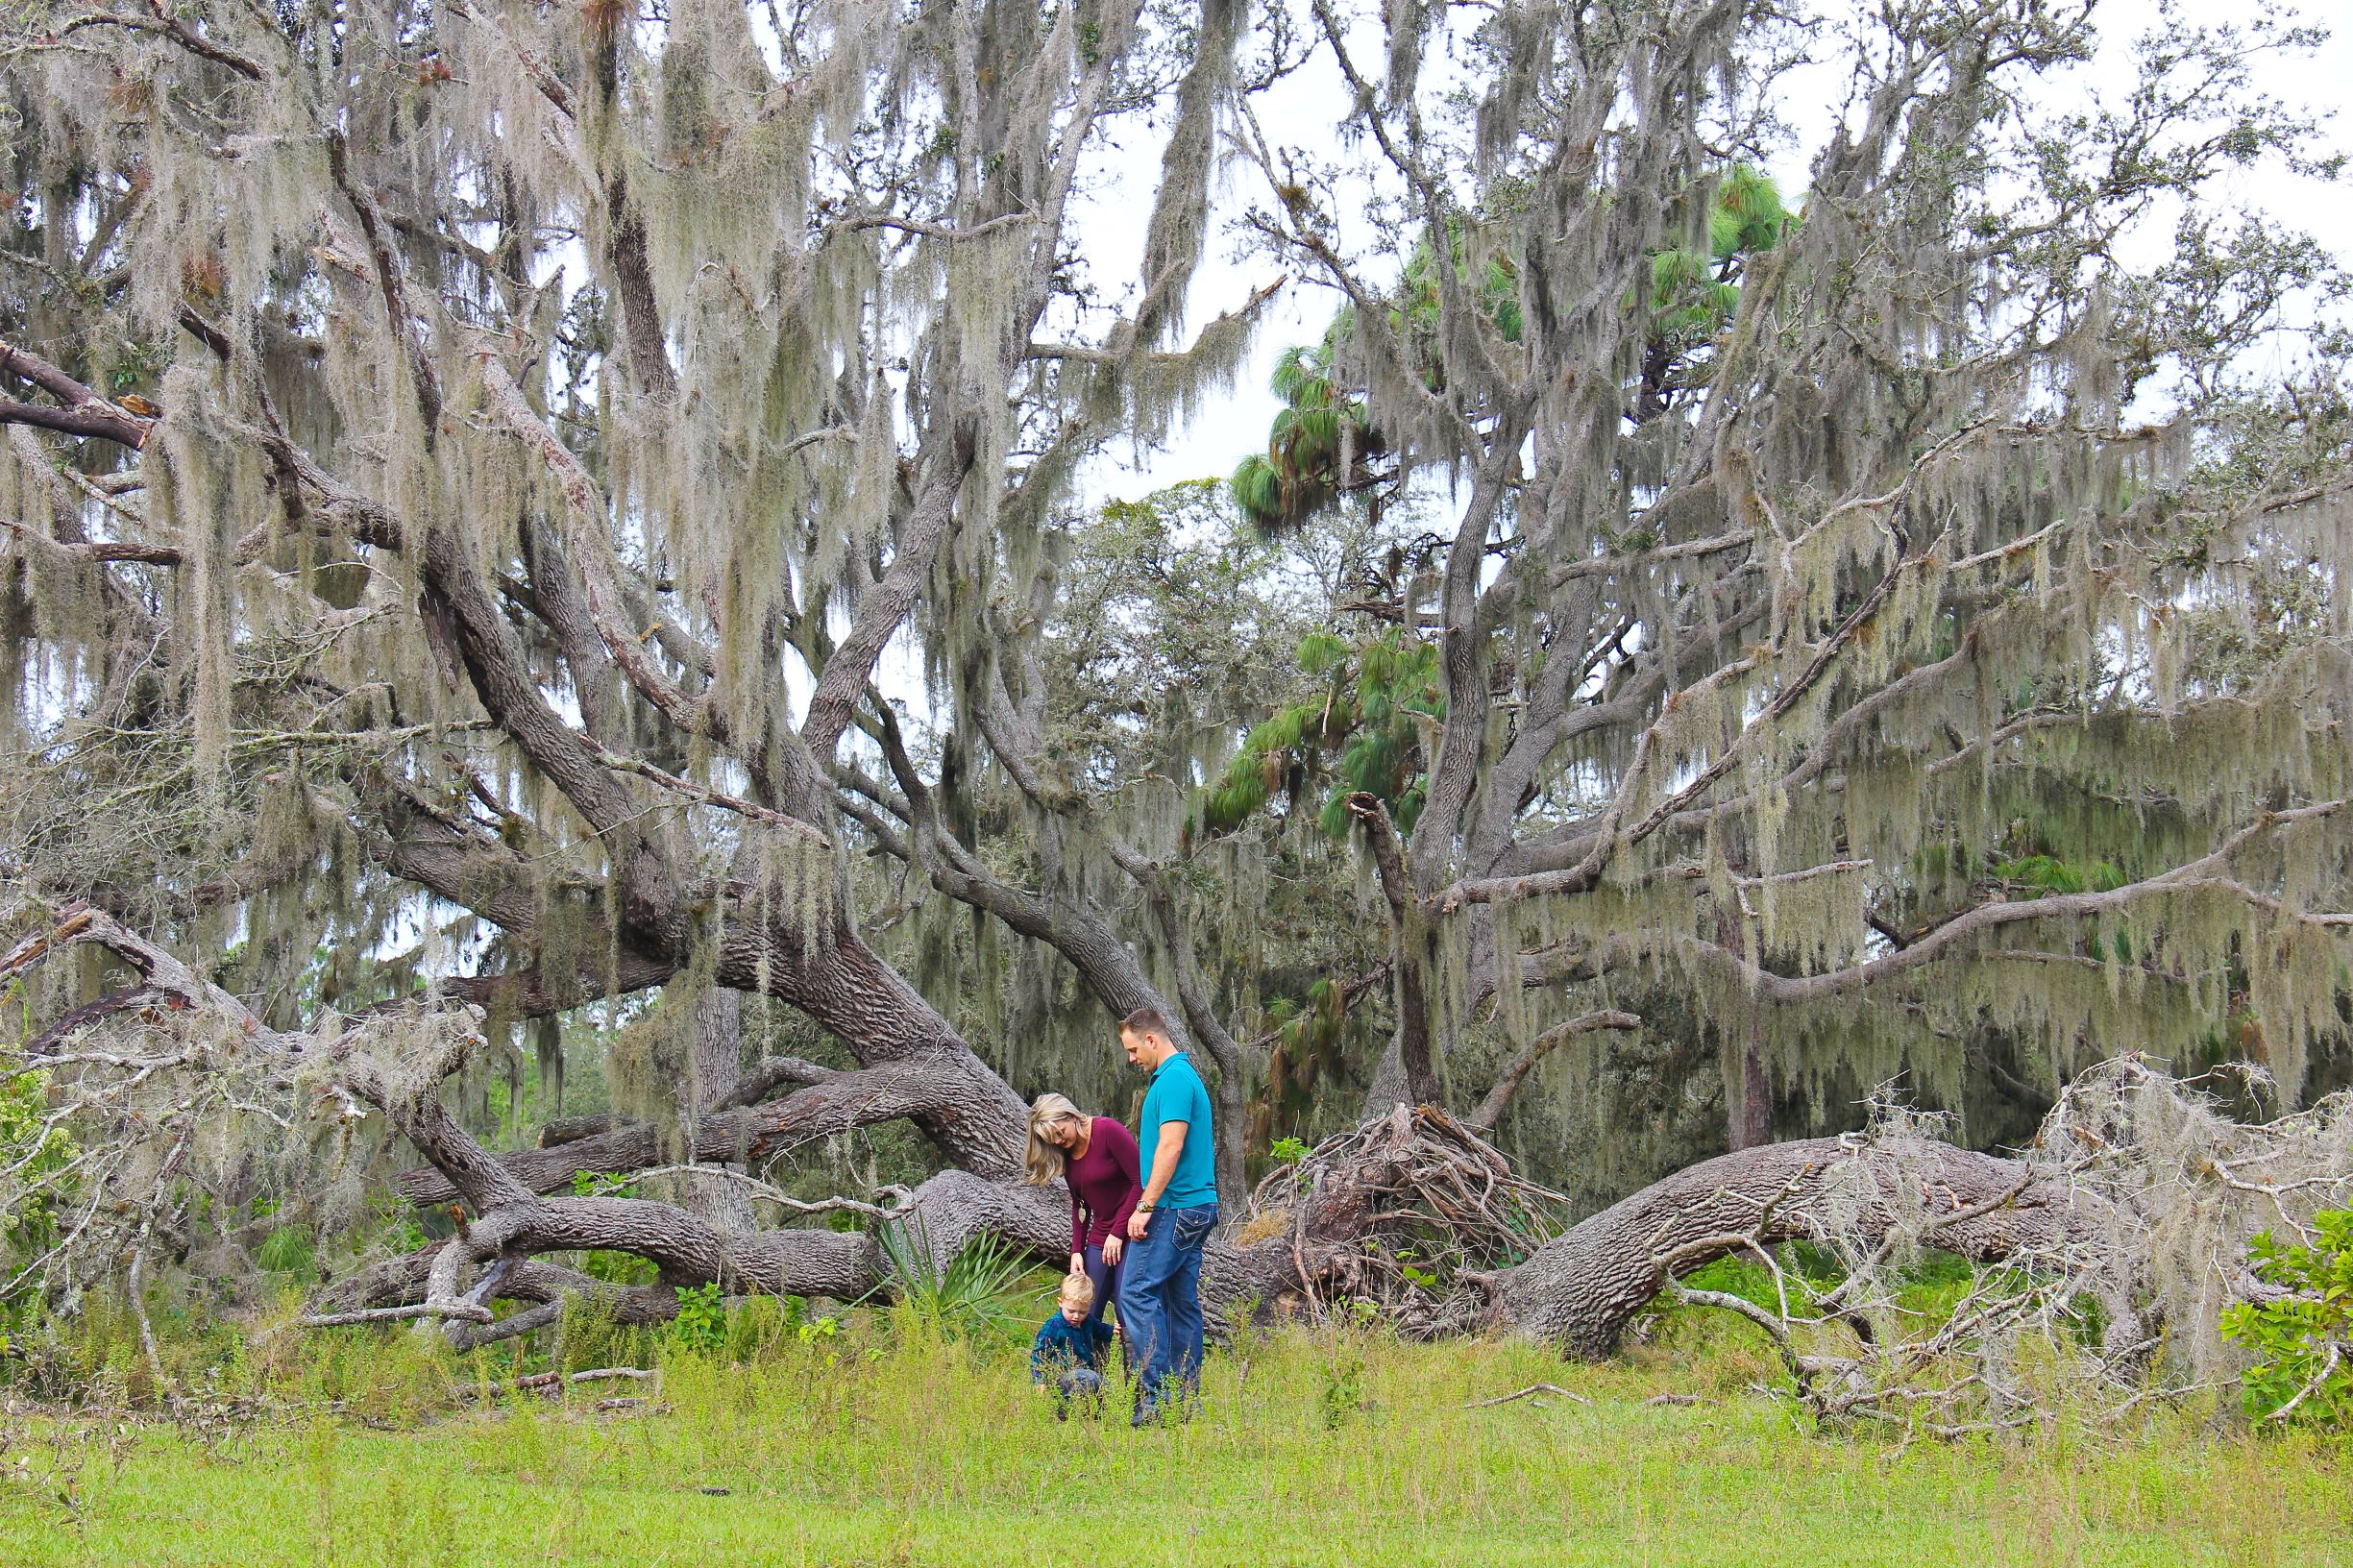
891	1444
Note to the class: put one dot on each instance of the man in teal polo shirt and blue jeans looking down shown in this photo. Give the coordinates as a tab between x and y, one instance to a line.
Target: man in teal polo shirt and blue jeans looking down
1171	1225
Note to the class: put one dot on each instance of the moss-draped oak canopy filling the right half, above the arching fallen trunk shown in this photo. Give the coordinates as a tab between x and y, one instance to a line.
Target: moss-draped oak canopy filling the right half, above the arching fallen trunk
1825	616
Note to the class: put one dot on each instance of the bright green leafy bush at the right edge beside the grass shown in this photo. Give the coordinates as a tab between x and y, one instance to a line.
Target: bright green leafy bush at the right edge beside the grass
2302	1341
